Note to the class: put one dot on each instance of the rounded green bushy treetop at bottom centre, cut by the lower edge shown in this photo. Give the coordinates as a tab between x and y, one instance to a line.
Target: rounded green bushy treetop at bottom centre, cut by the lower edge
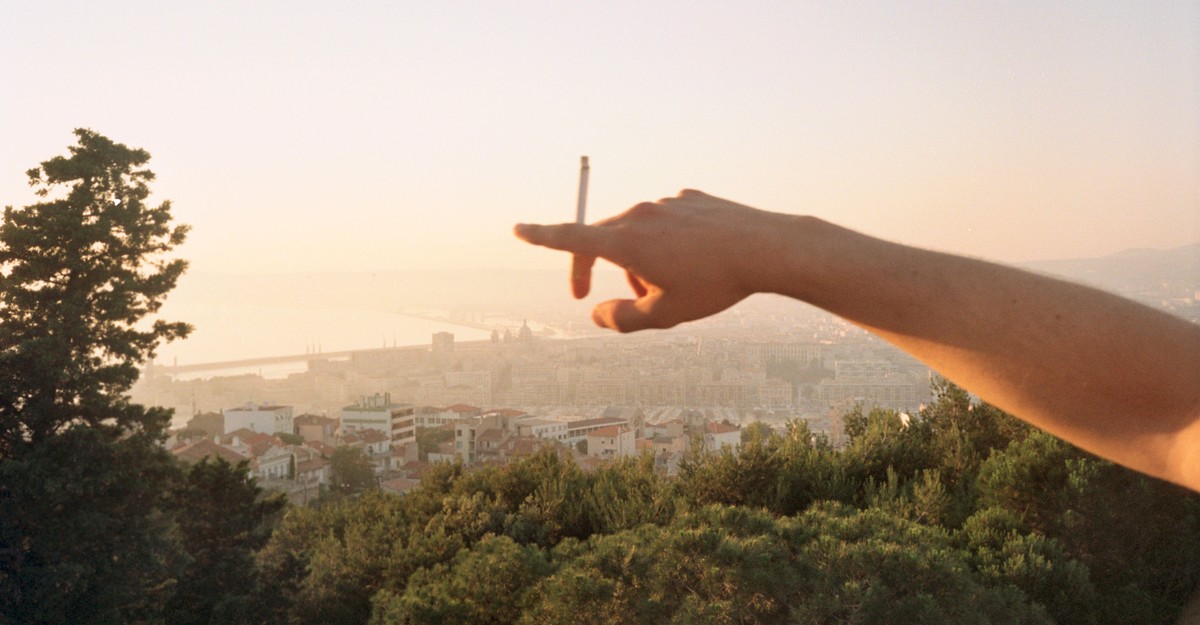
719	566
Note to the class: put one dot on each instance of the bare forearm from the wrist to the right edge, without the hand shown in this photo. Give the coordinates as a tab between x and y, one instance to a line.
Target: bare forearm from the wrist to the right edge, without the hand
1112	376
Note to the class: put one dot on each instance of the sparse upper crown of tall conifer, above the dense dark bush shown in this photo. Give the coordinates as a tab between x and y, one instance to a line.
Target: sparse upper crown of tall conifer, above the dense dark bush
79	274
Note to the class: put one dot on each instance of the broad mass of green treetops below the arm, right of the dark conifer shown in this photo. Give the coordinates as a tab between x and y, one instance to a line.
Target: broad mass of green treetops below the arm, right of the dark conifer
959	516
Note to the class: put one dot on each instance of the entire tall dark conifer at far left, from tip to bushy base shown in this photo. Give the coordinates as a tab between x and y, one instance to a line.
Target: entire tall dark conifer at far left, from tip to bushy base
83	483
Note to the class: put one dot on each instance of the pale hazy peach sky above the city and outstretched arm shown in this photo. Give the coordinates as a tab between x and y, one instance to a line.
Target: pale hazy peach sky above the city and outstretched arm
403	135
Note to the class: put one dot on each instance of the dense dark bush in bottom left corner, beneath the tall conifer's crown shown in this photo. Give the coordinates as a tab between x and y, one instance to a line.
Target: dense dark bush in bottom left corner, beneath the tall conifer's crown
83	532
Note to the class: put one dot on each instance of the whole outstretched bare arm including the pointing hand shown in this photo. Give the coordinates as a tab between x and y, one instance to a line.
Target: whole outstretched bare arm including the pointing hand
1112	376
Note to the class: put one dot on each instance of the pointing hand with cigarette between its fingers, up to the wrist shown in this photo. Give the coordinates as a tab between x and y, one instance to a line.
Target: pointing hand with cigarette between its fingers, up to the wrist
686	257
